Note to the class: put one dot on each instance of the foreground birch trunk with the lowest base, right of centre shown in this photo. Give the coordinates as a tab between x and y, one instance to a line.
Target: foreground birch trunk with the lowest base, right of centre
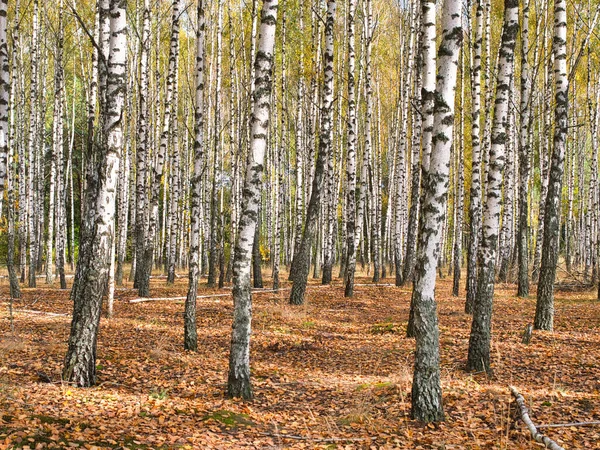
426	389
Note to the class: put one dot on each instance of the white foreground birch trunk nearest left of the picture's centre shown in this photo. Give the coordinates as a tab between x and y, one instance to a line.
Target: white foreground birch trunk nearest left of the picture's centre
238	383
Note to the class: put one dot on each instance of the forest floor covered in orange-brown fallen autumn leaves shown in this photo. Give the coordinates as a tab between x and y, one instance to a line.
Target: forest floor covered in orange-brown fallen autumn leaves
334	373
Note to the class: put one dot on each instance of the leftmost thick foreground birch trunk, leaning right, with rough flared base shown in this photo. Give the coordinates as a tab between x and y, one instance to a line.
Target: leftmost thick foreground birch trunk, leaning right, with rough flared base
80	361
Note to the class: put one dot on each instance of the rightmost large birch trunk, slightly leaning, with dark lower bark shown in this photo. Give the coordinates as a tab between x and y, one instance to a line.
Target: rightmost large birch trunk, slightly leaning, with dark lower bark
544	313
